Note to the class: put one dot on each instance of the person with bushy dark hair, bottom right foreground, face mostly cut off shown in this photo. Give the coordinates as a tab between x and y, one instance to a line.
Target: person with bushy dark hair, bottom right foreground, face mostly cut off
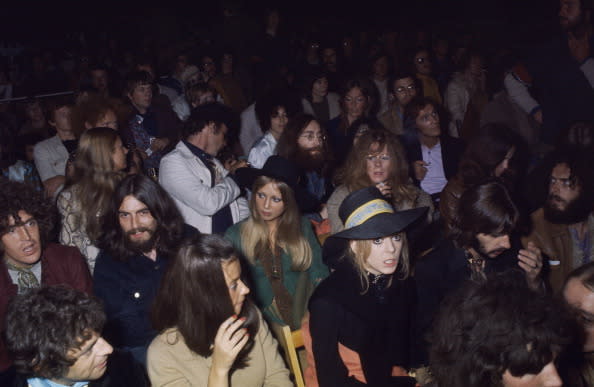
499	333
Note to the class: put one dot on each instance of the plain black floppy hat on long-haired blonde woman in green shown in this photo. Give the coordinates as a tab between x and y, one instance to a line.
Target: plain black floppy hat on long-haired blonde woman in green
279	168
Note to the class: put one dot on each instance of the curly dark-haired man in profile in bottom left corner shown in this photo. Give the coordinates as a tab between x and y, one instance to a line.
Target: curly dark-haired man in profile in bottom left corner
54	335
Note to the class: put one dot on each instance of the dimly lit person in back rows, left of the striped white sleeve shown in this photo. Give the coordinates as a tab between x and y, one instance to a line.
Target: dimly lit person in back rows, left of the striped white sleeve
466	95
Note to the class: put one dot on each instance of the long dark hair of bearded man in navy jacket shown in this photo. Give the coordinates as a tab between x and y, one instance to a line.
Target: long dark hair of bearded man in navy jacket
170	224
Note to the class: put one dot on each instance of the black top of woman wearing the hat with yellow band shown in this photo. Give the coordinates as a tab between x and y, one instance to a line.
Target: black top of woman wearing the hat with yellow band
376	325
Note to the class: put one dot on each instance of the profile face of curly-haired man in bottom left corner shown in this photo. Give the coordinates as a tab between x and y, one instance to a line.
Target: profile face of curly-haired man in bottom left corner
91	361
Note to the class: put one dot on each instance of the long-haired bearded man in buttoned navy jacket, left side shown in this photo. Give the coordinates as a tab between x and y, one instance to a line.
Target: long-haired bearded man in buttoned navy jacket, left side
141	230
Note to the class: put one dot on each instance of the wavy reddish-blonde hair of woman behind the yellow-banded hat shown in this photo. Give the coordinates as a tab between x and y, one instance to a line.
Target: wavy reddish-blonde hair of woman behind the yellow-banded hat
354	172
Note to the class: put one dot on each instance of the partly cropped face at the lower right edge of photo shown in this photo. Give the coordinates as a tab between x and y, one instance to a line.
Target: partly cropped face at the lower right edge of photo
582	299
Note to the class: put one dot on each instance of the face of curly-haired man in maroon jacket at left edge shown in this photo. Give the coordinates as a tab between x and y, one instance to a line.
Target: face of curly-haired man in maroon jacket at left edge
22	242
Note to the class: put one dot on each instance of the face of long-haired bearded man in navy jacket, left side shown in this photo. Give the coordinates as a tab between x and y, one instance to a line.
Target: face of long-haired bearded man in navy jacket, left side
136	220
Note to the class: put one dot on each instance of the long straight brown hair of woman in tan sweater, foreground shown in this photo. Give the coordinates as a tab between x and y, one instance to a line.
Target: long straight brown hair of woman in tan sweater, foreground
194	296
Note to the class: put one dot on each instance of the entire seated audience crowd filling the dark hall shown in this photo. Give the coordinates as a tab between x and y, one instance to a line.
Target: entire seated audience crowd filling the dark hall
418	225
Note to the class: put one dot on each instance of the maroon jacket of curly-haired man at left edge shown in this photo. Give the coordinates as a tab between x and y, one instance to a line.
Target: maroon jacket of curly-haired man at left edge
60	265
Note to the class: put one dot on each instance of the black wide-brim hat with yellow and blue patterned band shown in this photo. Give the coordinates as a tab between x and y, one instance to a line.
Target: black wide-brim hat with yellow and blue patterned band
366	214
